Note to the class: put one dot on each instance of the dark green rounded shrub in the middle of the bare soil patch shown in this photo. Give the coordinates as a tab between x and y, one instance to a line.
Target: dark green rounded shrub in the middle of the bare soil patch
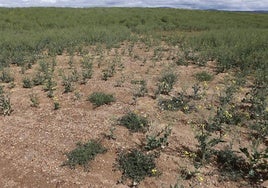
134	122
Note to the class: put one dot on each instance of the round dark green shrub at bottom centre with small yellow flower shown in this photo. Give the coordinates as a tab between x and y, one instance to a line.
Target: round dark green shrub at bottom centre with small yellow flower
136	165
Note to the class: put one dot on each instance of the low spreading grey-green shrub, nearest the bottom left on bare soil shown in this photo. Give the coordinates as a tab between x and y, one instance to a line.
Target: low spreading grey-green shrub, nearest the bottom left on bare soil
84	153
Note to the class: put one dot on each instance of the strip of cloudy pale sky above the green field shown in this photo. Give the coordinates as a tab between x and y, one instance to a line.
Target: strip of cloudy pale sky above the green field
231	5
